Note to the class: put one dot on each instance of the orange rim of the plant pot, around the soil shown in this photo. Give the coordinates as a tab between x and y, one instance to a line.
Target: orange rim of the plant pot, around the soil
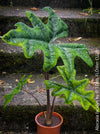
54	113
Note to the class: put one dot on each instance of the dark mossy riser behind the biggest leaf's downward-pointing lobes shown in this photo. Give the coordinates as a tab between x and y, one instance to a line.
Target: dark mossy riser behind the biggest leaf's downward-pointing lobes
17	63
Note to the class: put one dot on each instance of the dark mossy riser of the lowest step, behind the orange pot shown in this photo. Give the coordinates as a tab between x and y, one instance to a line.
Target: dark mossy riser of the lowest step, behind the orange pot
20	117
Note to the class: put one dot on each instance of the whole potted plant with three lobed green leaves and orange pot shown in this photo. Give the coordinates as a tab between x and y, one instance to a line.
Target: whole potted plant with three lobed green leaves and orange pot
40	37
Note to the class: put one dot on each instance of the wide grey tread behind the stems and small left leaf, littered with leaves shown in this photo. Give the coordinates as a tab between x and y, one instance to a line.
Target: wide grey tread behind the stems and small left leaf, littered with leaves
37	88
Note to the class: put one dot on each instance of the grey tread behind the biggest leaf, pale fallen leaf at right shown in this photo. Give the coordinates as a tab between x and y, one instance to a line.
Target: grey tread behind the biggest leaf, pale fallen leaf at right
92	44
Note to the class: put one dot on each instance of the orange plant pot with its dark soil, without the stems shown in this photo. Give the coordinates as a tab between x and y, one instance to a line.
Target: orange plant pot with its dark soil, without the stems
56	124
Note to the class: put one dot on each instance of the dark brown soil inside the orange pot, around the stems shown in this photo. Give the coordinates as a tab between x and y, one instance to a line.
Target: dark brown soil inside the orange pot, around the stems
55	121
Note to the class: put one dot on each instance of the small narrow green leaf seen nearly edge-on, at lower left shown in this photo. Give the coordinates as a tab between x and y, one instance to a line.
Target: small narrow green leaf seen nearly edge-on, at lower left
16	90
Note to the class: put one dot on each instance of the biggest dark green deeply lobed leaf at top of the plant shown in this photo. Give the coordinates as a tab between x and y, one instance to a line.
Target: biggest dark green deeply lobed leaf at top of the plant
40	37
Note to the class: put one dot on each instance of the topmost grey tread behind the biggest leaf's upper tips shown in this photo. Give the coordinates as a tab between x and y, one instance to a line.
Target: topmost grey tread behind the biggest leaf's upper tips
62	13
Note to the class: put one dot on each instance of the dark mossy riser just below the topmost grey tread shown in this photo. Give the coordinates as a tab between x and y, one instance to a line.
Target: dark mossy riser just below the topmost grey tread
77	27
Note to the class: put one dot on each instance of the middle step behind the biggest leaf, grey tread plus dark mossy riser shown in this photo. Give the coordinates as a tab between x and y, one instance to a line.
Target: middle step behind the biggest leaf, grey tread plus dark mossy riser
12	59
